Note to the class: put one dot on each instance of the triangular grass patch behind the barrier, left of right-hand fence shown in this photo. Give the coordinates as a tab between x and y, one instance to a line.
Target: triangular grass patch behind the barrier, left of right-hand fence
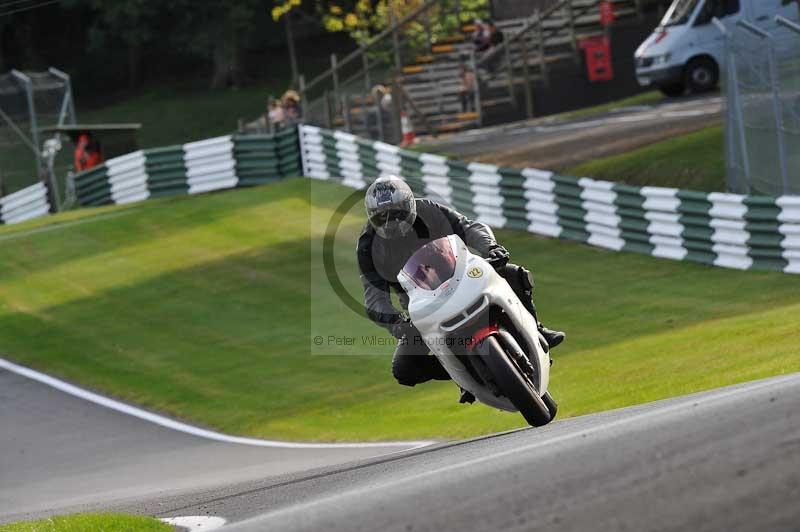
693	161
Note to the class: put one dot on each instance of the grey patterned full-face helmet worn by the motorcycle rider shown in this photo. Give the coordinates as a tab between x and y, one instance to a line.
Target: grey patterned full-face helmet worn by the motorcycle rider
391	207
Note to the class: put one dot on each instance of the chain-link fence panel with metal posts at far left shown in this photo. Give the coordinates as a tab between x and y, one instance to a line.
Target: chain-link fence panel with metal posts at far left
30	102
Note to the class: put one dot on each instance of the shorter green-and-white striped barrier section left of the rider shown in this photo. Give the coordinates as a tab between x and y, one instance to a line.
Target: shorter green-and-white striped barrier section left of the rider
214	164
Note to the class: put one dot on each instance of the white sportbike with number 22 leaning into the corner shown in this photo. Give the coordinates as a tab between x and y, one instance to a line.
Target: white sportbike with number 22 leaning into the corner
476	326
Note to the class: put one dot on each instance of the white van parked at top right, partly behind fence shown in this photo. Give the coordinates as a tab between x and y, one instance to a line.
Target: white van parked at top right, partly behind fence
686	50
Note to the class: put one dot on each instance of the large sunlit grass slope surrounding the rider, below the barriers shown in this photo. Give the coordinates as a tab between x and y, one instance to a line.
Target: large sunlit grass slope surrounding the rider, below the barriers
205	308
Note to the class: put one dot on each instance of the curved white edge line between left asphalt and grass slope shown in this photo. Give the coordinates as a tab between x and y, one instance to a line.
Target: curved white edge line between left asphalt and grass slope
189	429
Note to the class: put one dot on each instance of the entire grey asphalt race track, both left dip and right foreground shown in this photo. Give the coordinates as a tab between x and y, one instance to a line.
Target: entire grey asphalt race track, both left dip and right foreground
728	459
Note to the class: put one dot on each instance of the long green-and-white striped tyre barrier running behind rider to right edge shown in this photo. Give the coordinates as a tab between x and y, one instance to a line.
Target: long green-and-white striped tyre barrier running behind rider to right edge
729	230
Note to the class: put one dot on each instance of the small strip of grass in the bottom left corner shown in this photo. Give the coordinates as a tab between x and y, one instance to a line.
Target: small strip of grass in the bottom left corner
90	523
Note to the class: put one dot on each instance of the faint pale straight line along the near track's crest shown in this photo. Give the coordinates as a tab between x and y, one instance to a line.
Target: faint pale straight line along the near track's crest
576	435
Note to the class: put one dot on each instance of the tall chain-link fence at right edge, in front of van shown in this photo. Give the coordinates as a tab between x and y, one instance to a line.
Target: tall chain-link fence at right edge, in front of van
763	112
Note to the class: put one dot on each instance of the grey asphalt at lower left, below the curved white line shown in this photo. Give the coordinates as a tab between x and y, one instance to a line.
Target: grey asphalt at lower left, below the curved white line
60	453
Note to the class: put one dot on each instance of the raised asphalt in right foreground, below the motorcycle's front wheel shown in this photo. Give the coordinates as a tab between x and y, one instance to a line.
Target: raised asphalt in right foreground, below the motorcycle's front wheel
723	460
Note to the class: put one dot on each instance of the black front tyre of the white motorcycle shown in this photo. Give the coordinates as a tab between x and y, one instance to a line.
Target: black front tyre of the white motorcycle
513	384
